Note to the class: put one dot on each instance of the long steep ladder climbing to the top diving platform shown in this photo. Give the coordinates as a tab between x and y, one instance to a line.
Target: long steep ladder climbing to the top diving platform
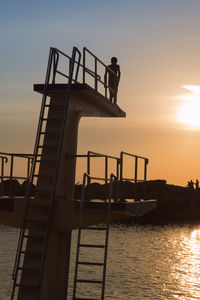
33	241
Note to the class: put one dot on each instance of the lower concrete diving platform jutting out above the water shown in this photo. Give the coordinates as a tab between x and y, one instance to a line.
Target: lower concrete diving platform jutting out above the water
12	211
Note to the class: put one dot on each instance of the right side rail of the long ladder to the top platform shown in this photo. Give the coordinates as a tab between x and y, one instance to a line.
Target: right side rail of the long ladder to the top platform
52	196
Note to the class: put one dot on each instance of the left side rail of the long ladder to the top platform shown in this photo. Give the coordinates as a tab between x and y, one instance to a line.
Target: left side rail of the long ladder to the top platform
22	231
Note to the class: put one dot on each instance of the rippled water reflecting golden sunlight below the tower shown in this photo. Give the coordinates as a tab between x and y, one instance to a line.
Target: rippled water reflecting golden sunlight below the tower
144	262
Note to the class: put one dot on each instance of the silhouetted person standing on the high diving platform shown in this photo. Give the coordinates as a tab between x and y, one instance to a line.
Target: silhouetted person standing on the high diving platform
113	80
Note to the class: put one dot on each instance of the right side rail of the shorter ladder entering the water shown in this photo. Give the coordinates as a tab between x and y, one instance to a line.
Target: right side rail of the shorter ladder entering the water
112	178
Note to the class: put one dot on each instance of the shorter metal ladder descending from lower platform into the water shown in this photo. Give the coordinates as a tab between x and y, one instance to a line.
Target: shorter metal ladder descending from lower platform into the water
81	245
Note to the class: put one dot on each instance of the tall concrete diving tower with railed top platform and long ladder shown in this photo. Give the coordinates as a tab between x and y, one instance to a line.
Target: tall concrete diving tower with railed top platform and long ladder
42	261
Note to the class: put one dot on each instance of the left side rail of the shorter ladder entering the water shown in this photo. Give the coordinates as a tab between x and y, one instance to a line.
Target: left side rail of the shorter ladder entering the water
79	233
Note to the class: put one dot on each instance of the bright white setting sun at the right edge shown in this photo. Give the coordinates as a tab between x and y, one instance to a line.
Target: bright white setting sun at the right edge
189	112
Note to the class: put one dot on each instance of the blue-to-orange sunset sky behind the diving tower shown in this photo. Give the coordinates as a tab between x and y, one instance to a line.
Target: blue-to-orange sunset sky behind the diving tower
157	44
